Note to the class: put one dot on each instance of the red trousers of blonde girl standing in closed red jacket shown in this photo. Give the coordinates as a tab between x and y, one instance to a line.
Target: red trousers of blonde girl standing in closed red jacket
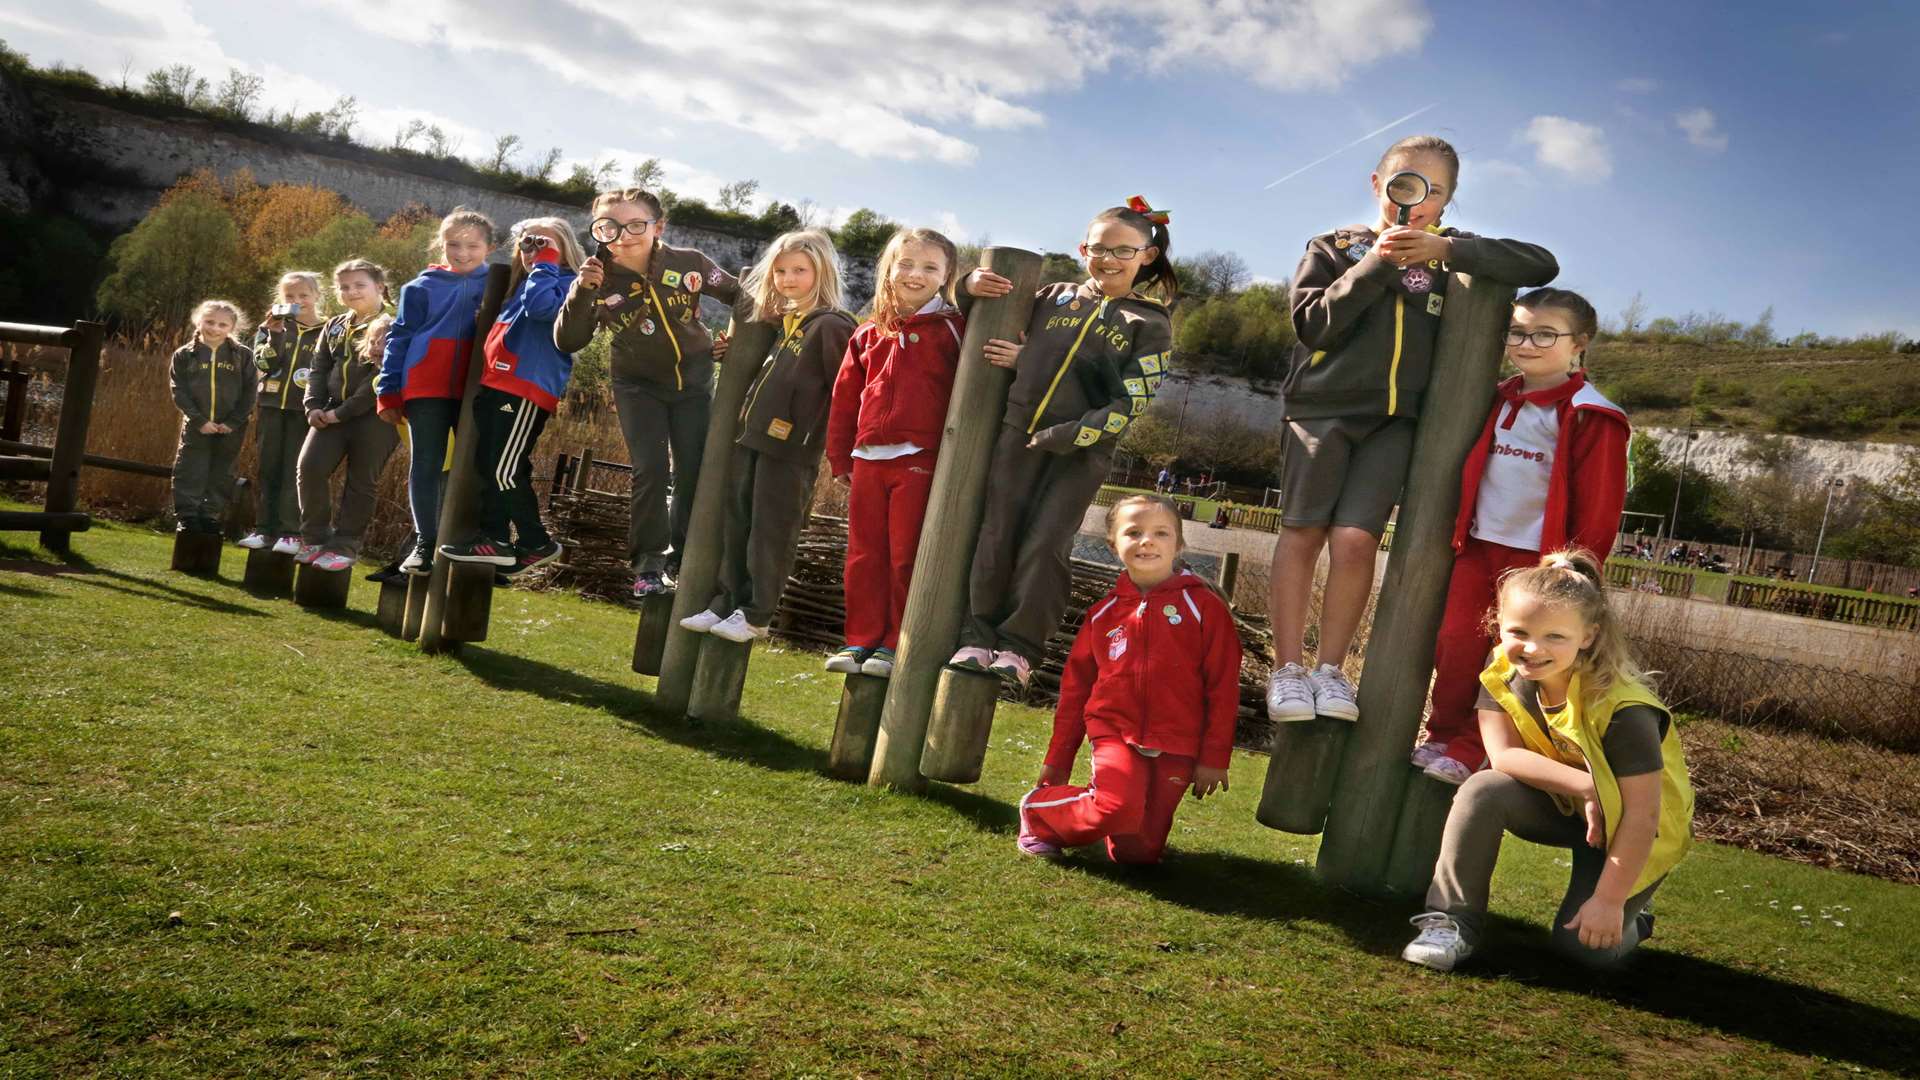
884	512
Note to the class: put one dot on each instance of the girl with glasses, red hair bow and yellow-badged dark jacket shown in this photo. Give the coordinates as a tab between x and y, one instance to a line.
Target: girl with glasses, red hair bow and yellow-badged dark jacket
1093	356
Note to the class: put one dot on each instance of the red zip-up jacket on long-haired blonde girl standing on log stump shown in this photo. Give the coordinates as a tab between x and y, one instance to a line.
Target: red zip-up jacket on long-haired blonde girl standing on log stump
896	387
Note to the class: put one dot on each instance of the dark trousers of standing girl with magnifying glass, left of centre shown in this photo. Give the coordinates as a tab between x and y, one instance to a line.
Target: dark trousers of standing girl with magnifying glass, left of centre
654	424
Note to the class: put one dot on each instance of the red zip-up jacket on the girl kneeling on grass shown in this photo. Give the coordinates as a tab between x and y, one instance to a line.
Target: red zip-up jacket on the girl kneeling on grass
1161	672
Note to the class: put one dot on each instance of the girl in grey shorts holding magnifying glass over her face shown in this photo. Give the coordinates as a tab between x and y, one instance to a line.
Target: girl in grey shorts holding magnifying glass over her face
1366	307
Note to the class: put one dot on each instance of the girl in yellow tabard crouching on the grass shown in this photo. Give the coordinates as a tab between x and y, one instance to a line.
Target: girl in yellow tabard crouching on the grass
1583	756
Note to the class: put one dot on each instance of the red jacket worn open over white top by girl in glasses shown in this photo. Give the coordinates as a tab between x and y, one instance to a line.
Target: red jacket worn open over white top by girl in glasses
1587	487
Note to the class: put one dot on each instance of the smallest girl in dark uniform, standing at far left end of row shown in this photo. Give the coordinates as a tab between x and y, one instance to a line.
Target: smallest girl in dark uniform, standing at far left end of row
214	385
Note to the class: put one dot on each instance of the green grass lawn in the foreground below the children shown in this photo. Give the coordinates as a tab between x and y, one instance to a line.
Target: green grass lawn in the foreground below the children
243	839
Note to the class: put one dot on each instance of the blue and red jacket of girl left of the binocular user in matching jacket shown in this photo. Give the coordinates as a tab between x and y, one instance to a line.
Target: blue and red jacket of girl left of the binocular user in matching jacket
431	337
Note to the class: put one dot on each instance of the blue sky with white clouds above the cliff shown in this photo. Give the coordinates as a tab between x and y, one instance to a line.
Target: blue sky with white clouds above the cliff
1708	157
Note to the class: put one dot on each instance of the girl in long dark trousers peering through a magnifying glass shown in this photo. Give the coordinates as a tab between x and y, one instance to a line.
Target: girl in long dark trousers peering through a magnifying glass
648	295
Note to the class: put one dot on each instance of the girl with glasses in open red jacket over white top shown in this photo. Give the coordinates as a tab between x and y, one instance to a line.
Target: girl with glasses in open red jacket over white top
1548	474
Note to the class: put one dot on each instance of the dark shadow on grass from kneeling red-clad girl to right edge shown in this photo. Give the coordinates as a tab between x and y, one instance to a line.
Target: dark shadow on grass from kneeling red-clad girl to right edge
1792	1018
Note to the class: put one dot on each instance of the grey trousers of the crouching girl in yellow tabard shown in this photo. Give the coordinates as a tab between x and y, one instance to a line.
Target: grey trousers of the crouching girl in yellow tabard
1487	808
